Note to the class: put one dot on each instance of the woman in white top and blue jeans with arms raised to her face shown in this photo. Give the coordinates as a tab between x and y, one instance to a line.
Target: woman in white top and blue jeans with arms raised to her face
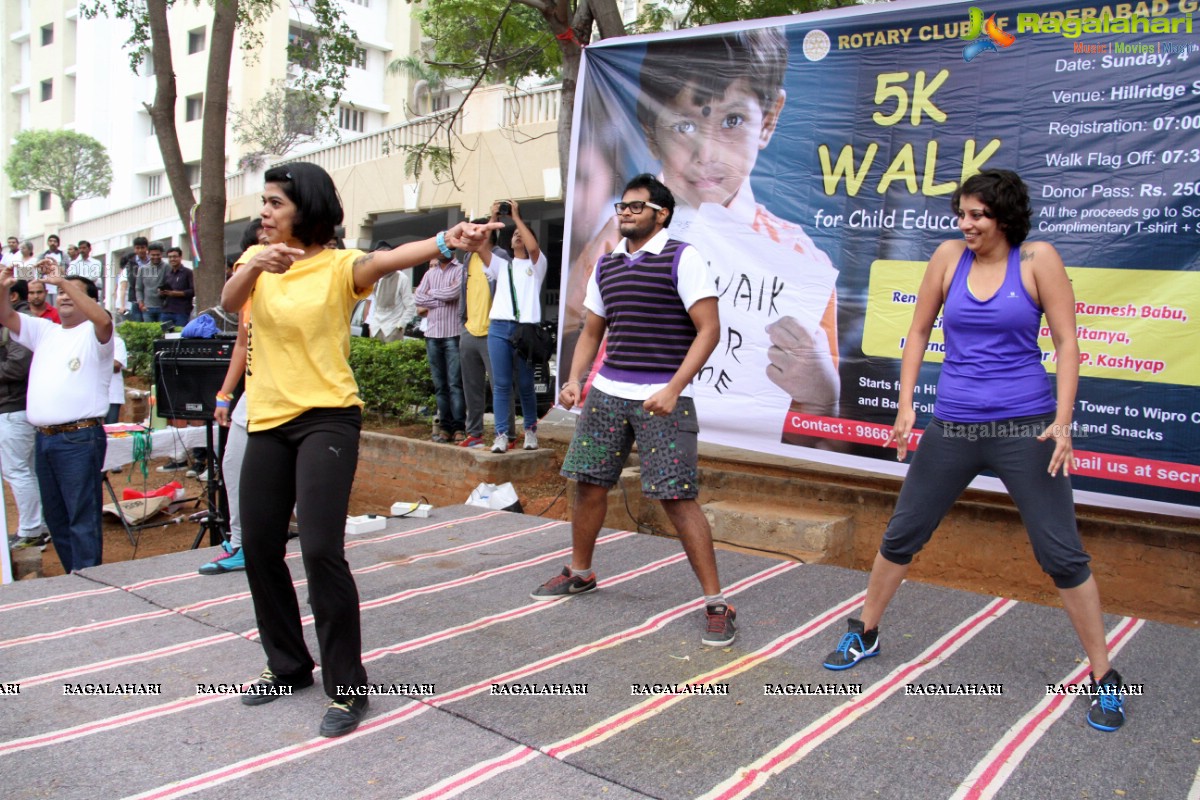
518	299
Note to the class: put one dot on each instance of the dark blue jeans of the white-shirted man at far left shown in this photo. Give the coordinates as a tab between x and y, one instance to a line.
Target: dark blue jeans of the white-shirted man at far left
70	480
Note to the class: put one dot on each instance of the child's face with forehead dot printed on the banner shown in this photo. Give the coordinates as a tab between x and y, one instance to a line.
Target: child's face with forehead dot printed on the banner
709	146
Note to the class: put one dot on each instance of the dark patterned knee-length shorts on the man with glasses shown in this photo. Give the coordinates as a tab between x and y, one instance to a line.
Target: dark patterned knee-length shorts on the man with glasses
608	430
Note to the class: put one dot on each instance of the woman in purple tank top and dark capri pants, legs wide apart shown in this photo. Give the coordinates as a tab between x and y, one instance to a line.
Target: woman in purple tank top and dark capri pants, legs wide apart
997	411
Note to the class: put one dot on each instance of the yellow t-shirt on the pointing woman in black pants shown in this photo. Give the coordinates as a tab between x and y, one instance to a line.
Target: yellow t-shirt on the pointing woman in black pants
299	340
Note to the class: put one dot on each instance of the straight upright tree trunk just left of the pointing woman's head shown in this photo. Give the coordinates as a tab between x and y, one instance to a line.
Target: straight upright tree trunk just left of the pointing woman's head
212	214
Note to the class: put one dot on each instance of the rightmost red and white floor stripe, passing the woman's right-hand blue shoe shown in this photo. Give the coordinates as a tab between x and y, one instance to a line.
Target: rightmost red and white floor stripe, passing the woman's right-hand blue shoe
991	774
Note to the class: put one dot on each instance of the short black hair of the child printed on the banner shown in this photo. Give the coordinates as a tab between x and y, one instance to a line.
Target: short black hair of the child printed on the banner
709	65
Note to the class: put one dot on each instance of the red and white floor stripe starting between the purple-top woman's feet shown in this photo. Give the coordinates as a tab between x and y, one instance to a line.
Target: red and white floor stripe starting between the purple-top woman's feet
749	779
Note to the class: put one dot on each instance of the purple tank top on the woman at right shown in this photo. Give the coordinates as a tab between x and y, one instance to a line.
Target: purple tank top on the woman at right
993	369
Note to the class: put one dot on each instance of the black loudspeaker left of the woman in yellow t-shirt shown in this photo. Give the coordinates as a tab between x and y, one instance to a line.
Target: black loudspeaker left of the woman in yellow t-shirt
188	376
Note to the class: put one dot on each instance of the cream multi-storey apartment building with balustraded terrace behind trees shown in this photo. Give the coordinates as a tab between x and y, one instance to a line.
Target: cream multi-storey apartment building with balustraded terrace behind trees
68	71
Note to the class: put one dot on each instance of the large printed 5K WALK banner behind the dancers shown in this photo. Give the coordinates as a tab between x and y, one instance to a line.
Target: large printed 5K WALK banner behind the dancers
813	160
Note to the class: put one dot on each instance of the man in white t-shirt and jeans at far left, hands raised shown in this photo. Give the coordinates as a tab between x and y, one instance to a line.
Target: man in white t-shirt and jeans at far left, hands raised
67	402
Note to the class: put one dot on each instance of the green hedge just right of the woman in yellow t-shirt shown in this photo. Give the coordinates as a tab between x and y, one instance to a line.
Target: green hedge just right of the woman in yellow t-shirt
394	380
